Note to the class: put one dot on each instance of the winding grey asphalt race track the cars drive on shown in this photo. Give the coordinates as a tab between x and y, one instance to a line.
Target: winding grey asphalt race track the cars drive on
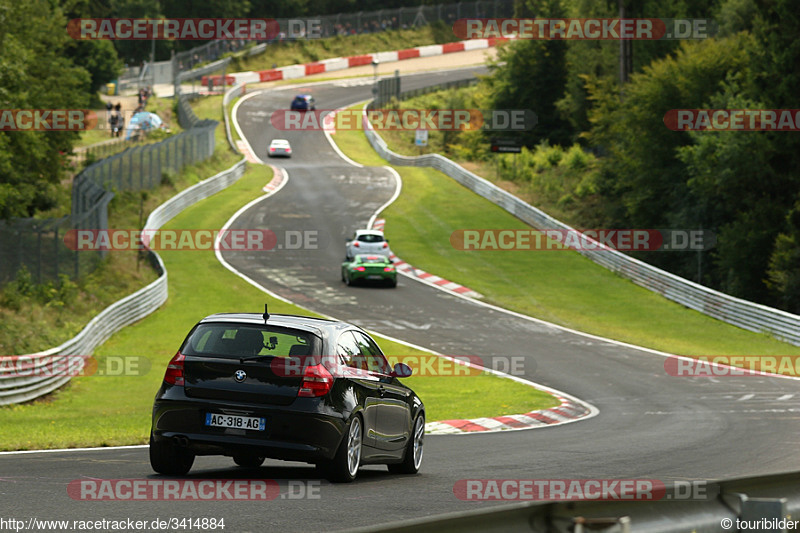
650	425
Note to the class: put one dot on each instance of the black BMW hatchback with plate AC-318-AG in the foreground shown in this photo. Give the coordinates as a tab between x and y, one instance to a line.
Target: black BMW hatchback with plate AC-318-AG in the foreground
254	386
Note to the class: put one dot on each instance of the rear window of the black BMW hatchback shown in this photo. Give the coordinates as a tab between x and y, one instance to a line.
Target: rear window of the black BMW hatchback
235	341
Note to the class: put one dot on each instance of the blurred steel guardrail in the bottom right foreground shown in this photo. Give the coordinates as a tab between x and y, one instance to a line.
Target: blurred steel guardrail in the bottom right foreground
771	497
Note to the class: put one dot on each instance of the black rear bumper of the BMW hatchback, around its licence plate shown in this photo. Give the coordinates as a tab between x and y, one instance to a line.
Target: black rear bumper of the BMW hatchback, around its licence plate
290	434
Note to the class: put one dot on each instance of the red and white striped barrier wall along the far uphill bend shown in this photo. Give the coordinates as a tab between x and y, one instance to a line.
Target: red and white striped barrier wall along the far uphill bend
342	63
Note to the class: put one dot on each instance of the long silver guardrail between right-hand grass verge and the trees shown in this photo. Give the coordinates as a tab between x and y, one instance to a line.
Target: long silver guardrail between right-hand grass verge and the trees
748	315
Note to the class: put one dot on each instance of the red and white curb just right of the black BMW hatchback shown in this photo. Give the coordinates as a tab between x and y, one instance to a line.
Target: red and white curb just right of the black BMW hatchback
568	411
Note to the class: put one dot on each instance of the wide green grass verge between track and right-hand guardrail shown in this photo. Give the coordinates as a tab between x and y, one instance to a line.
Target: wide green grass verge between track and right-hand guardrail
559	286
